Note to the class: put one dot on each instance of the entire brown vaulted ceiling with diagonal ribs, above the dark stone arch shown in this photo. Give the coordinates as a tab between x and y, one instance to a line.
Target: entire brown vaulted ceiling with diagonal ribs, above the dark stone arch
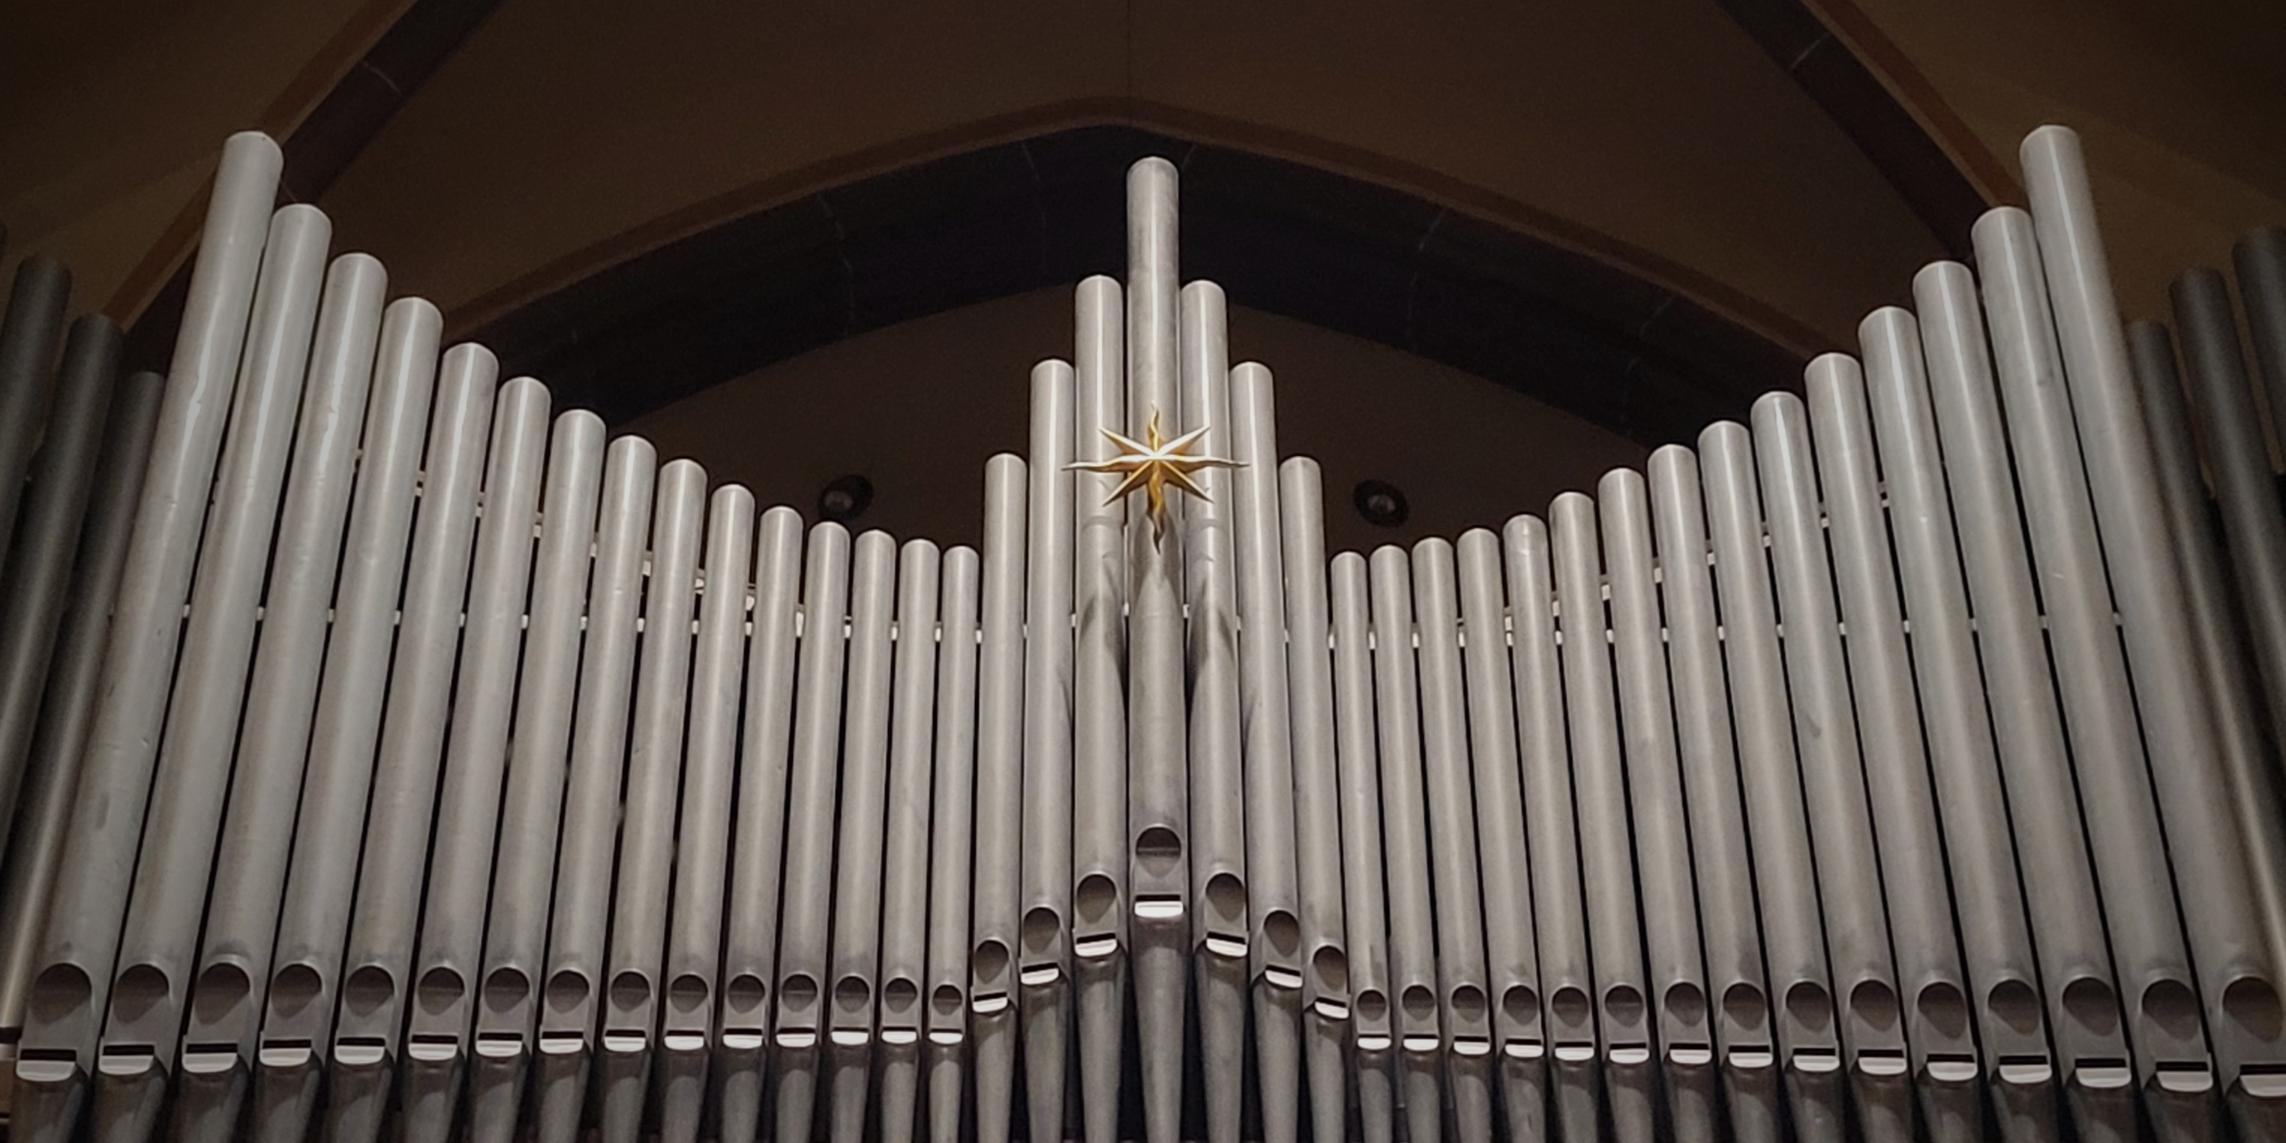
1775	163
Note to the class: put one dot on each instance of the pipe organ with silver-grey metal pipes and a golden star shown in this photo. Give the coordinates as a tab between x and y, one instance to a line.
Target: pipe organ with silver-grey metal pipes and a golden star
390	753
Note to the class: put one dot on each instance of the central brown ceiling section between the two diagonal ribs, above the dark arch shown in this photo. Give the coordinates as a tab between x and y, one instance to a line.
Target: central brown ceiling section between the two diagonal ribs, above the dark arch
1649	127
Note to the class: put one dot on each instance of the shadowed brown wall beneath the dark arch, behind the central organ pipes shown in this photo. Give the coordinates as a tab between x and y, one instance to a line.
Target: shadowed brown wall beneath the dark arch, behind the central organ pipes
918	408
